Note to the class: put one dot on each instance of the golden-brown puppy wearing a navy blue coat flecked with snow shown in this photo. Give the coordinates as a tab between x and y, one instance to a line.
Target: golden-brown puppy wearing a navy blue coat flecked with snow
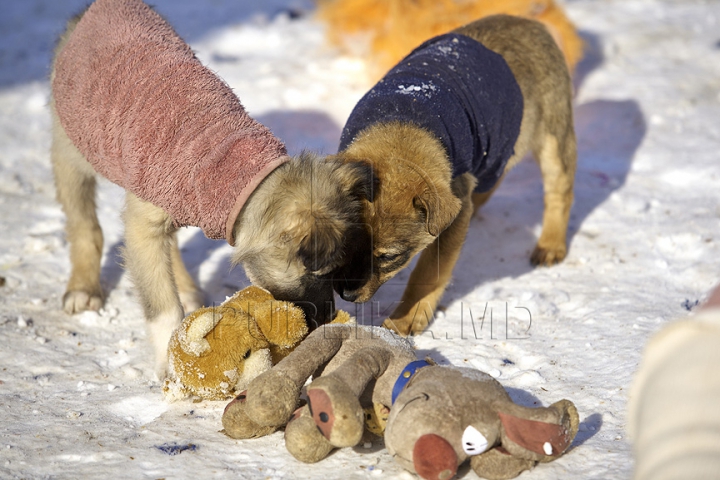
440	131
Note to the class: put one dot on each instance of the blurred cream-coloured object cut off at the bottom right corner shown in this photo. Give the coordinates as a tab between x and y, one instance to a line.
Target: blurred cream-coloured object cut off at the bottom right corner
674	411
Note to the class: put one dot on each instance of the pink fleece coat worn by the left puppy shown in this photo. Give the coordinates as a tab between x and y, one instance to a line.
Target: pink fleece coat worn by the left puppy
147	115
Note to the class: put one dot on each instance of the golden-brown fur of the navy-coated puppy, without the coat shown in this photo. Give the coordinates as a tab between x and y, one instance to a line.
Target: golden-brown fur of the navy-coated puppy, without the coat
419	207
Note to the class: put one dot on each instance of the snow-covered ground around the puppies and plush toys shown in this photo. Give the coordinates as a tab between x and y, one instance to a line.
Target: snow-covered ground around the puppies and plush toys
77	394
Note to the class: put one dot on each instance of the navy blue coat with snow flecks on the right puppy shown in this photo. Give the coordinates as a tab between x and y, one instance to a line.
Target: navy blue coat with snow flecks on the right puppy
460	91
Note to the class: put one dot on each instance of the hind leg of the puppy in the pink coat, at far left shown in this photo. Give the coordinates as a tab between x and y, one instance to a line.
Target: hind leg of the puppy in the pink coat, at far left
75	189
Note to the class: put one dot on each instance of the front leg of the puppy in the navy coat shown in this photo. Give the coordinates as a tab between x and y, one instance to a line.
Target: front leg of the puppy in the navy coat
434	268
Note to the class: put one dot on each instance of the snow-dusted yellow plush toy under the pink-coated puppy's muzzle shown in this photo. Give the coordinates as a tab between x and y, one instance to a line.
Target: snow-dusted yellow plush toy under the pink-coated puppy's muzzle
216	351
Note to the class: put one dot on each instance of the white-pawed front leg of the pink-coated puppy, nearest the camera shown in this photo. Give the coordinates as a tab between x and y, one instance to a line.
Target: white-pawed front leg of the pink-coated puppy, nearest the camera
149	242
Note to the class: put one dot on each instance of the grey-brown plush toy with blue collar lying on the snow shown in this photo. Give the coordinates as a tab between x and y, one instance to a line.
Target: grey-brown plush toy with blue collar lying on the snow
439	416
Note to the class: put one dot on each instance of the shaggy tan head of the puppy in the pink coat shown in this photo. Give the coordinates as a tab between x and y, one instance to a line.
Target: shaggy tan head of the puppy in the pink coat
294	230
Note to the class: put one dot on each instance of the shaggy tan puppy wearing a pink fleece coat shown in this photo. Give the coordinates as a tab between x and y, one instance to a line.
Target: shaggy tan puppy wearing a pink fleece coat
132	102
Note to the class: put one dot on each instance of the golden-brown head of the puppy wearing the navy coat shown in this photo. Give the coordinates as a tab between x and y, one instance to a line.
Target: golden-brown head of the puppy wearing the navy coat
411	204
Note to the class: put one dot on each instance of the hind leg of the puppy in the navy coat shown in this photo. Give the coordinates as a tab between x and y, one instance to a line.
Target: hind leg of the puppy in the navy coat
556	155
